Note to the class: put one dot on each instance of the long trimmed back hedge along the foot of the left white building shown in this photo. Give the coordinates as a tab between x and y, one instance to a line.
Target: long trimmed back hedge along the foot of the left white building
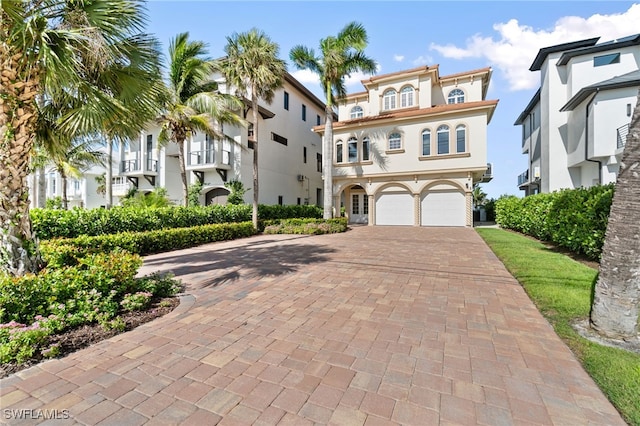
50	223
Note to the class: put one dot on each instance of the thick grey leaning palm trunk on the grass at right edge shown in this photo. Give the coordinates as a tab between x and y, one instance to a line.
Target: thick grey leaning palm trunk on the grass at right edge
616	302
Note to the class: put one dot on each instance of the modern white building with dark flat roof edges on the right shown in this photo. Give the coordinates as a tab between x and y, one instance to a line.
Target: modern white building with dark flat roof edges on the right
574	128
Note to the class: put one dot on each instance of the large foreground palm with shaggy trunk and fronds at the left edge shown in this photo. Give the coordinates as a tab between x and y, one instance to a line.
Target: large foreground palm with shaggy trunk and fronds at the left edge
42	44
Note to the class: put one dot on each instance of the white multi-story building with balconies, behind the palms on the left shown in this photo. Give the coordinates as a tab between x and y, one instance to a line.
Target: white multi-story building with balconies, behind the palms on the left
290	155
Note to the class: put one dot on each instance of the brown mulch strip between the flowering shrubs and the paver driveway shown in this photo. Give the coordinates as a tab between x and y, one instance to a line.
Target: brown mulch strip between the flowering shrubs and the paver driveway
83	336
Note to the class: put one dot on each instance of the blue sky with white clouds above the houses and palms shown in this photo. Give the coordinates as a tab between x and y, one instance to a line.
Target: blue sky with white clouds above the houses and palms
457	35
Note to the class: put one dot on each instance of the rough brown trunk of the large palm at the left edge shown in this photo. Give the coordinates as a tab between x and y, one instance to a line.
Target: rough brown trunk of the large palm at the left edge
18	90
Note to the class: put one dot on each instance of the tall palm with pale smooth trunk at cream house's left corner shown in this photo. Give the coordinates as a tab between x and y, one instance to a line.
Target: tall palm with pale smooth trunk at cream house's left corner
339	57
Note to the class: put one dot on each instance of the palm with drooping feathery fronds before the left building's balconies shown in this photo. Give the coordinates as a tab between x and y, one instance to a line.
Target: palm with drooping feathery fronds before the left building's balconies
192	102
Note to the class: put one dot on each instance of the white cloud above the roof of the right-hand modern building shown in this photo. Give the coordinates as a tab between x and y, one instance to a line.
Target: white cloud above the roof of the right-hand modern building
517	45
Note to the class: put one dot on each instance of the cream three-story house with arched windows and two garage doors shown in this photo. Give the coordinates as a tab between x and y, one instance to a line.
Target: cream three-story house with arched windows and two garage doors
408	150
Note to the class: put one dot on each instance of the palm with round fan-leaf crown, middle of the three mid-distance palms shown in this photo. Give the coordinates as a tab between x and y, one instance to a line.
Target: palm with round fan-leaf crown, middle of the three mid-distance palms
252	66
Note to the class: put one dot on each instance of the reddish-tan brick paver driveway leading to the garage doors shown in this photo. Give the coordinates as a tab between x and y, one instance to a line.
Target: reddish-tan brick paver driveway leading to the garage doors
380	325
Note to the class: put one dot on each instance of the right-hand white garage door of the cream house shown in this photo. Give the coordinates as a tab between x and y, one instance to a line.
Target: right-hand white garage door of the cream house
445	208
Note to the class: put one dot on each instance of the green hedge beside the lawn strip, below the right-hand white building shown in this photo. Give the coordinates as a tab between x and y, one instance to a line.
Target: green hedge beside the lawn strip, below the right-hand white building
573	218
